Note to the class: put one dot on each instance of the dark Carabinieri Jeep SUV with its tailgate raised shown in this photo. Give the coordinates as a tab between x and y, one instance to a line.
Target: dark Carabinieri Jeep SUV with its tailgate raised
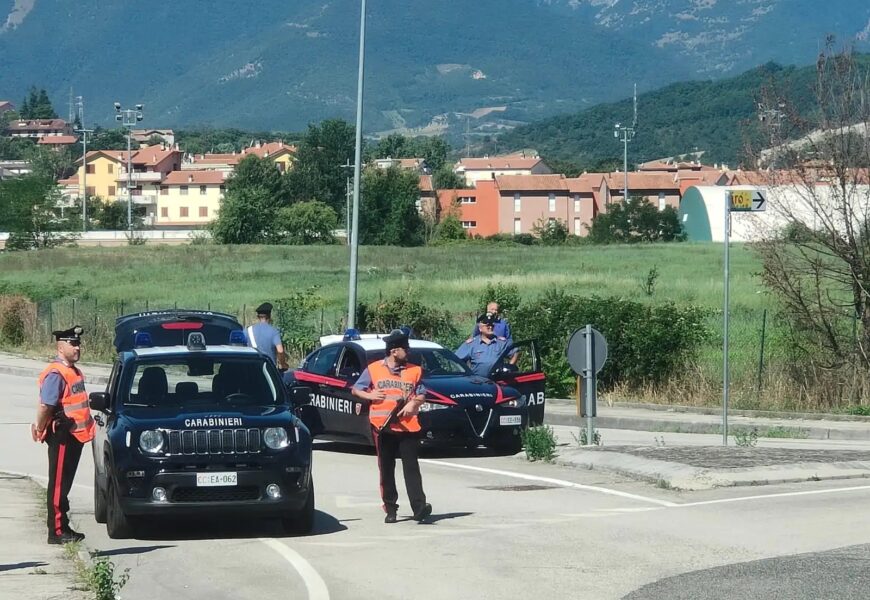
193	422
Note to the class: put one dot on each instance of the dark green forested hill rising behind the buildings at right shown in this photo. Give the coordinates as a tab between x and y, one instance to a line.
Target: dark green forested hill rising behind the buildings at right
716	117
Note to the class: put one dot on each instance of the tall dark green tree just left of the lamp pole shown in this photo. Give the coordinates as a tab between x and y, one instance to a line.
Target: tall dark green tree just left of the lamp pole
317	172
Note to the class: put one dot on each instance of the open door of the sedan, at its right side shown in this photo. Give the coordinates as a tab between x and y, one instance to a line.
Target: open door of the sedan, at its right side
519	367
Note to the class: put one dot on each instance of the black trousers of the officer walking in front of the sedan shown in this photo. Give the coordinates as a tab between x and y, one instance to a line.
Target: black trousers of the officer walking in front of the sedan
390	445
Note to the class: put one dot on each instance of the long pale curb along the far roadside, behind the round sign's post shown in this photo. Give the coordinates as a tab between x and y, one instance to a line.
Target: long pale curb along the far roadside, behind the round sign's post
682	426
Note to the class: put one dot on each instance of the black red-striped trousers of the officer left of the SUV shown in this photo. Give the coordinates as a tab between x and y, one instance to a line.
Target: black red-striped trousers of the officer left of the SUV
64	452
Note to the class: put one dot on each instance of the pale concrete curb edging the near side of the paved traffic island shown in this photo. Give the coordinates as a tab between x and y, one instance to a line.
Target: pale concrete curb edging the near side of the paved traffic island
677	476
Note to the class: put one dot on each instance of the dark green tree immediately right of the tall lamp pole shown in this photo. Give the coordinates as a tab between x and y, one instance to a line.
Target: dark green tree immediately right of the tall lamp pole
389	214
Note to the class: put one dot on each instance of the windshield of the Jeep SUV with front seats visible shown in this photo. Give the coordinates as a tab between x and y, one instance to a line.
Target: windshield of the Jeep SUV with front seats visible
200	381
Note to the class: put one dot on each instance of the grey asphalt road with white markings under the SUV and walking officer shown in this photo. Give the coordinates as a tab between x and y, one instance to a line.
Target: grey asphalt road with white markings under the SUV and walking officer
502	528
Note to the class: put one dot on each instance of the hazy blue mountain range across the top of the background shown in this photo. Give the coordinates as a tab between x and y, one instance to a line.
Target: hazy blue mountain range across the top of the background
451	66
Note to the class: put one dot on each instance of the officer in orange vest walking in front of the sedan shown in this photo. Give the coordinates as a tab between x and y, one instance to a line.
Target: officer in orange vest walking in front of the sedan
393	387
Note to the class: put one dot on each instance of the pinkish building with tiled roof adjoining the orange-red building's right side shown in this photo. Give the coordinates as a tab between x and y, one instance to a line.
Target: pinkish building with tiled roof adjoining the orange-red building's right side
527	200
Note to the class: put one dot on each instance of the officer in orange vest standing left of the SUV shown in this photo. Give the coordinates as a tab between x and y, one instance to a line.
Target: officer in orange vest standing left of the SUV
65	424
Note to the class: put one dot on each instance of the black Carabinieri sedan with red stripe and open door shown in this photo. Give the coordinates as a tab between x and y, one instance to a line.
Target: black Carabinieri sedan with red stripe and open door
461	409
